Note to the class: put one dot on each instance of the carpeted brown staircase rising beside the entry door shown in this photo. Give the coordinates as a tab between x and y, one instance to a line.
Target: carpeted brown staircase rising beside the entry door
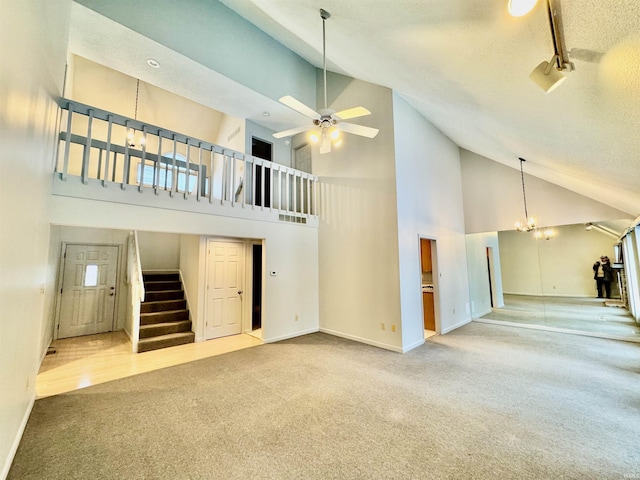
164	318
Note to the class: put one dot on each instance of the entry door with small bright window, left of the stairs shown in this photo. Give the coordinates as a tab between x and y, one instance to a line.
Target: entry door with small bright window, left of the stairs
88	298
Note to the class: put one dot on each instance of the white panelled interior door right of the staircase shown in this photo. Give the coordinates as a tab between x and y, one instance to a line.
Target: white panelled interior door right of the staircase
225	284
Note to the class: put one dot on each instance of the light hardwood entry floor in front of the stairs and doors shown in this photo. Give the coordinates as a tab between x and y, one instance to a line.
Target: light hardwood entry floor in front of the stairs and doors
84	361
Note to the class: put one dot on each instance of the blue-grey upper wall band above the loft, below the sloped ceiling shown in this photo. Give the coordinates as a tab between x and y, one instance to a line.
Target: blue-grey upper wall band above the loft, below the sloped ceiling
211	34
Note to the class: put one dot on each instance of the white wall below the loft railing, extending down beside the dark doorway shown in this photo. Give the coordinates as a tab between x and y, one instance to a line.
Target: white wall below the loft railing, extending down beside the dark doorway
291	250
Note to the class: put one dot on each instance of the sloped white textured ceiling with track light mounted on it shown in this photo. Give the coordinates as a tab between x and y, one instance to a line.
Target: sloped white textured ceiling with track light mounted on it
465	64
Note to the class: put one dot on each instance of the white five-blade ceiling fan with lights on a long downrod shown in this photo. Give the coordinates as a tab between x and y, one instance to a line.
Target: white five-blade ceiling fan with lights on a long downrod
327	124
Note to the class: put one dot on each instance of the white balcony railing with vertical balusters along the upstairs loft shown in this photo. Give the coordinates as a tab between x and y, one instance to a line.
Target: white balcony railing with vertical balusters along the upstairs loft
96	148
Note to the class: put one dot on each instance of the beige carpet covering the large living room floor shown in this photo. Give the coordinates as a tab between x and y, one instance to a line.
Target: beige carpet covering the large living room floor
483	402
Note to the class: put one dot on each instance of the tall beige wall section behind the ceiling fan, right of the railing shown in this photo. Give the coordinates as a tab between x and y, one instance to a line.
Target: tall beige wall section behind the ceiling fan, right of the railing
358	236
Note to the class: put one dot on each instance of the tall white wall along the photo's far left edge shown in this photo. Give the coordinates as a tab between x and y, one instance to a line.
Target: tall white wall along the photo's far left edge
34	37
